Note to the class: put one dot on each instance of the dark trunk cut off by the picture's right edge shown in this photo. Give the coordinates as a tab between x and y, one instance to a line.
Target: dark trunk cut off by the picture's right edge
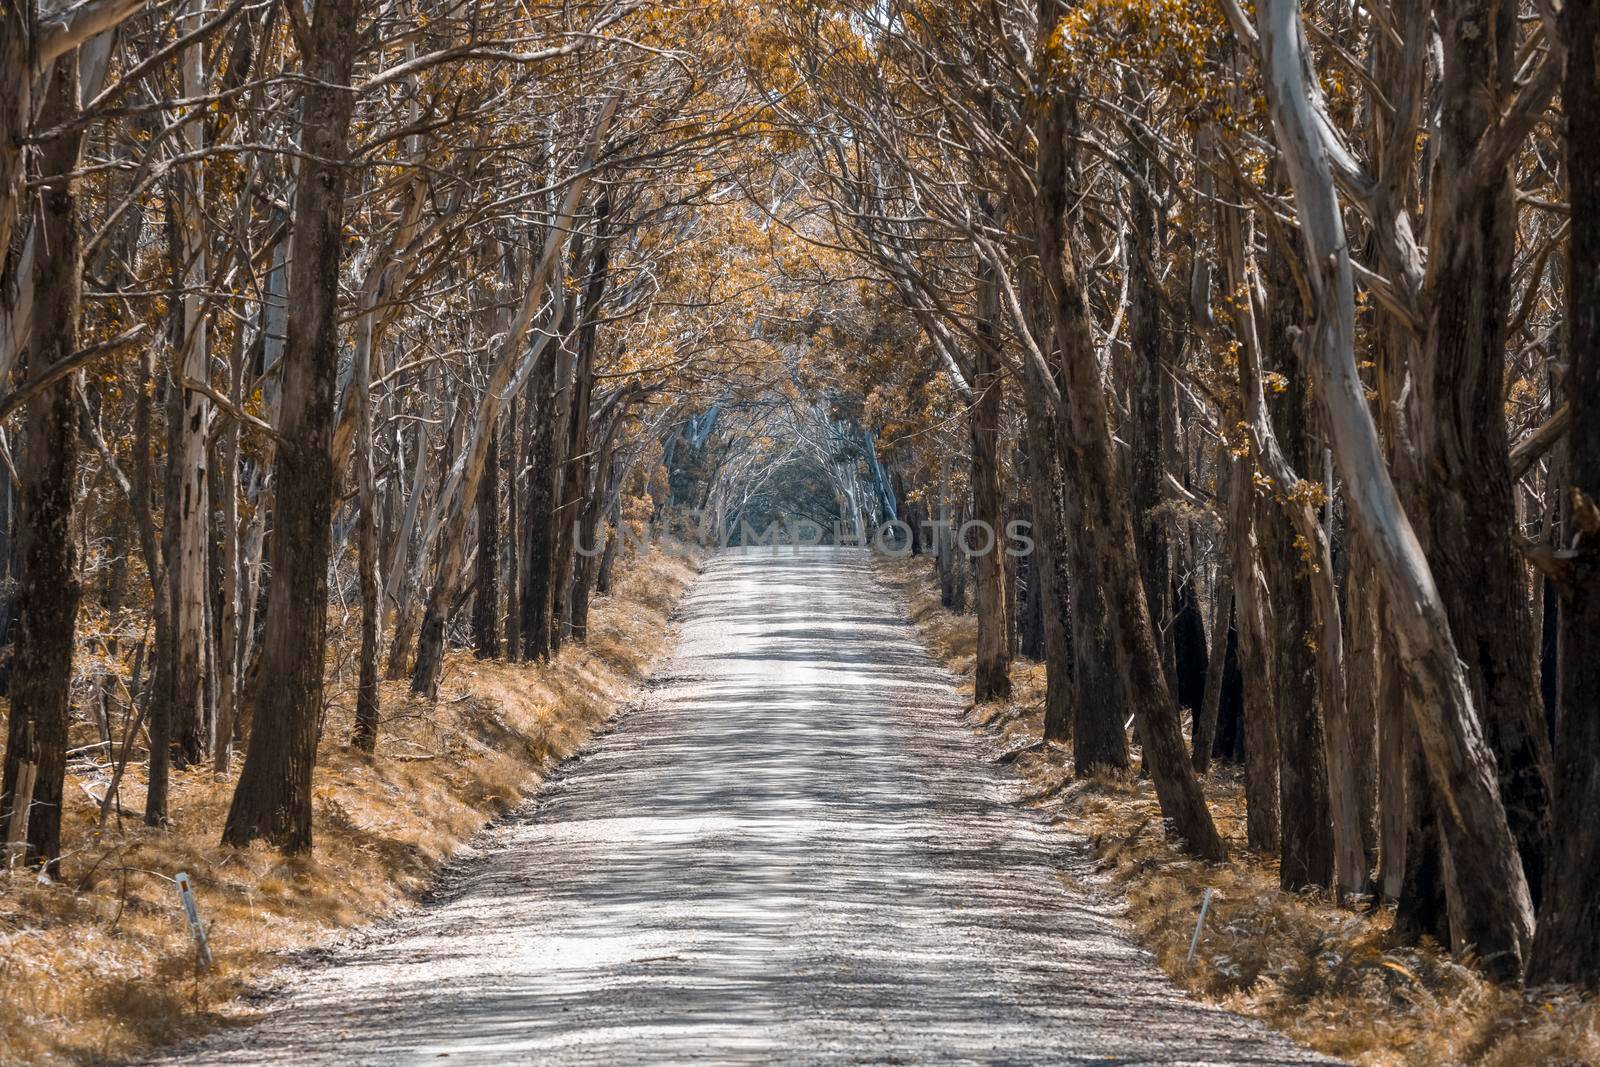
1569	943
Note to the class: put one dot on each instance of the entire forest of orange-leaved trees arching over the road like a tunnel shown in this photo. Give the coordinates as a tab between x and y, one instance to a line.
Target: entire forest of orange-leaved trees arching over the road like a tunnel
1274	322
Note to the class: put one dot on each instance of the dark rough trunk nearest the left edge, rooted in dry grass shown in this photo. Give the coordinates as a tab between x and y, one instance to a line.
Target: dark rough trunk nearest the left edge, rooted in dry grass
47	601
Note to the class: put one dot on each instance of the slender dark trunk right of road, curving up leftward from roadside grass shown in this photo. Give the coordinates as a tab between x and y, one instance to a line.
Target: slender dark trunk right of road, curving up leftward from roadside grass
1098	484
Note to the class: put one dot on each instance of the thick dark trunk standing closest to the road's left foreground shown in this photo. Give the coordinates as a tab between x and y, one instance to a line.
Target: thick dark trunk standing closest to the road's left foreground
273	799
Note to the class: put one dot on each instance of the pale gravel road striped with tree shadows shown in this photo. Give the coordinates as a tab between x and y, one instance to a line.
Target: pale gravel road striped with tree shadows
791	852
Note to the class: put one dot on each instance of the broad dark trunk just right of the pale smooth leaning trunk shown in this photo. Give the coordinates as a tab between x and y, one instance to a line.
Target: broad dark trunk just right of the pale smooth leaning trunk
1466	518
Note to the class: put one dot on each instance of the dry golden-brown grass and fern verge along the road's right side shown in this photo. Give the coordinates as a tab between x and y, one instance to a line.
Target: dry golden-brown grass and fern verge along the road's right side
1324	975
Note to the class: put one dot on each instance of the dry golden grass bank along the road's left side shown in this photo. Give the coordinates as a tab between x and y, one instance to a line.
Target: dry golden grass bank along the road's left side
102	967
